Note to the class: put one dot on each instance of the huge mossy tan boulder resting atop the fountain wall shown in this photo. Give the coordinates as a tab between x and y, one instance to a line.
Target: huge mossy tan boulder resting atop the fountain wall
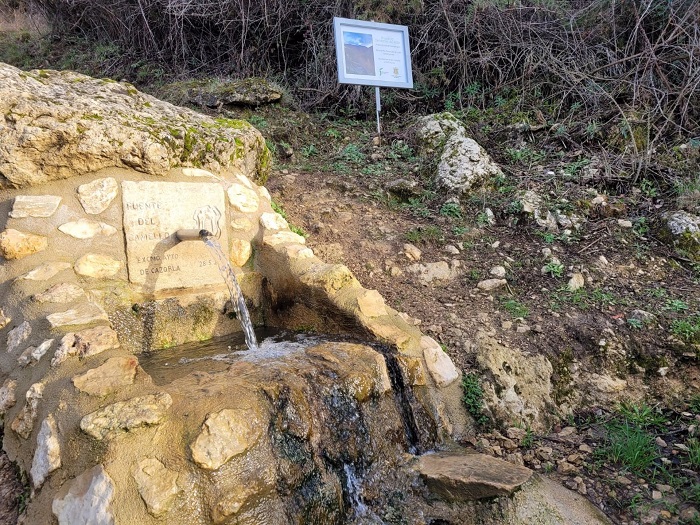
60	123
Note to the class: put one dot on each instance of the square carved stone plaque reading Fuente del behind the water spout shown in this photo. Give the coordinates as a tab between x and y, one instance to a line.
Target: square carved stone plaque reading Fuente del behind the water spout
153	212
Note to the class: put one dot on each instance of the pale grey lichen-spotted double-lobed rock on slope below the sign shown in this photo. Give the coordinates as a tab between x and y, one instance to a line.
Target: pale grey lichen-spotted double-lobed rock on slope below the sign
463	162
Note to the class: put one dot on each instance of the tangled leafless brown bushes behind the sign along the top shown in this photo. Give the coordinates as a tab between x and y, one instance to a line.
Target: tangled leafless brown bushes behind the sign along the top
632	61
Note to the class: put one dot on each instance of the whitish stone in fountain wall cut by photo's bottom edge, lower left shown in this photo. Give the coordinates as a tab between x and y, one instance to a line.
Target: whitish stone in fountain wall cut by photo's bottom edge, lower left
87	500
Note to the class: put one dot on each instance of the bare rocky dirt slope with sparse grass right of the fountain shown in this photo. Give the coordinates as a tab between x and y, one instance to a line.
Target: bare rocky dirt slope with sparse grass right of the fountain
611	306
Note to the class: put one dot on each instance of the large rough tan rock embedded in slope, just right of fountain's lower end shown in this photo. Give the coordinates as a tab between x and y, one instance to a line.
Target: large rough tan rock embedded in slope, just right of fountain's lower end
517	387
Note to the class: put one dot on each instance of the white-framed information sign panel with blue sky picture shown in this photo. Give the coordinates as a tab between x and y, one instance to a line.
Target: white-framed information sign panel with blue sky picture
372	54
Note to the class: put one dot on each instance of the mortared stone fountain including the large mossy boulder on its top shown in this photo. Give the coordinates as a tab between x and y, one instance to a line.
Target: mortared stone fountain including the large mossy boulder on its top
96	179
